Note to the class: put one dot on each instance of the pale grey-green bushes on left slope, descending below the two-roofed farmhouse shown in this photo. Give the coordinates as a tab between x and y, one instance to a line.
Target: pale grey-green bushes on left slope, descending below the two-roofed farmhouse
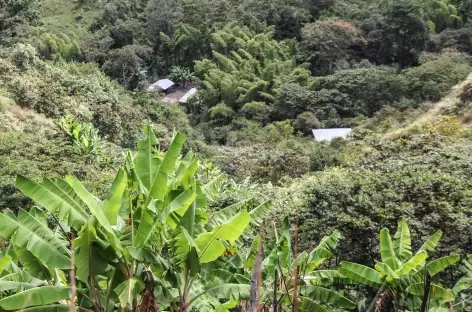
83	91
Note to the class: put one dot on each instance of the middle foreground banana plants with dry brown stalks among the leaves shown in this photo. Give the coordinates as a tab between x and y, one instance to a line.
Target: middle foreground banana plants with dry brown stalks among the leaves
290	281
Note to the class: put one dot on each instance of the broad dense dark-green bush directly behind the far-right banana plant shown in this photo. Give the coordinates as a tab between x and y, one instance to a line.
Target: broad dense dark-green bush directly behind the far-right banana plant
421	178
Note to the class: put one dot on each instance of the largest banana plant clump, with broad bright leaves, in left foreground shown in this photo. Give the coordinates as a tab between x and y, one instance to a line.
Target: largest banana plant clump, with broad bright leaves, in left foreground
141	248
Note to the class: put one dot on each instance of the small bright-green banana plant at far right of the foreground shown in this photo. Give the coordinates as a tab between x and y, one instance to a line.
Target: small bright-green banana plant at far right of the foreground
402	278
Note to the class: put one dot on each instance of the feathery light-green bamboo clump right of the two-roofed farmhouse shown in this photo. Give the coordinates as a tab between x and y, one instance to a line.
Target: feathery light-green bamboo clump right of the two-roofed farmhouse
247	66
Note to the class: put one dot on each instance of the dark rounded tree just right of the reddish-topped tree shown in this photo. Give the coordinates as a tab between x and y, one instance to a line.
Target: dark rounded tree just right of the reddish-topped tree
397	35
